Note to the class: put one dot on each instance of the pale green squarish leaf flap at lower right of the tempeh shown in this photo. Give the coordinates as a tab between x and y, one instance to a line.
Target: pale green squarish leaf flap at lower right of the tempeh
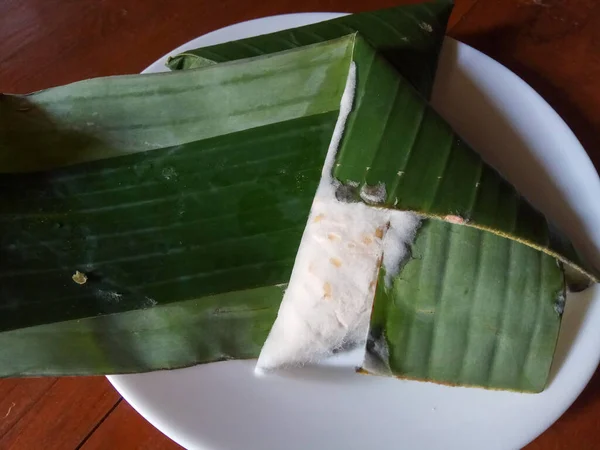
491	321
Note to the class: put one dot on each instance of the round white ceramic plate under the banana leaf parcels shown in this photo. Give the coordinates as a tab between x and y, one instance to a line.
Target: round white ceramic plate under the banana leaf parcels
224	406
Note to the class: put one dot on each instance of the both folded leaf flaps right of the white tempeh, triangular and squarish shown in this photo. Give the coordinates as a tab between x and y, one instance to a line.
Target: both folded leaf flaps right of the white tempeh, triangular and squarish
480	300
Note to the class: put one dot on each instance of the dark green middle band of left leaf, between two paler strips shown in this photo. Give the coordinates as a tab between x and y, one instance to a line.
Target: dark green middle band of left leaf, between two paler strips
219	215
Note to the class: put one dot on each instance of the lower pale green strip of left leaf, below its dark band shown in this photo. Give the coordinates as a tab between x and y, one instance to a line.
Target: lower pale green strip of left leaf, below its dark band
178	334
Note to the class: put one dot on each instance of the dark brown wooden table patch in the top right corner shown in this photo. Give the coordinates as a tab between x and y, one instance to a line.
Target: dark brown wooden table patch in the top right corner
554	45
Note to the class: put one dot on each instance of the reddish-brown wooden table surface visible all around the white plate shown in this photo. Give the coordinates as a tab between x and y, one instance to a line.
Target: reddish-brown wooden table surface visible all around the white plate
553	44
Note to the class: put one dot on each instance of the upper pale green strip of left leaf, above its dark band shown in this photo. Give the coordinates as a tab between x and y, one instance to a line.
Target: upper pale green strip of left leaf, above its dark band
115	116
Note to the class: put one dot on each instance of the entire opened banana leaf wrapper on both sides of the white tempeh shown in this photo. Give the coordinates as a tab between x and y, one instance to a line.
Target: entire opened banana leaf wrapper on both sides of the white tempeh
151	222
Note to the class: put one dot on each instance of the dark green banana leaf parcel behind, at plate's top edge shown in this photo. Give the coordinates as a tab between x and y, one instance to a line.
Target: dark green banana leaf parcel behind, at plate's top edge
408	36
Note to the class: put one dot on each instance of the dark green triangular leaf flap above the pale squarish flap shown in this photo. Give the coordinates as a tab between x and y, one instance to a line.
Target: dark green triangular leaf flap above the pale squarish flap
394	139
